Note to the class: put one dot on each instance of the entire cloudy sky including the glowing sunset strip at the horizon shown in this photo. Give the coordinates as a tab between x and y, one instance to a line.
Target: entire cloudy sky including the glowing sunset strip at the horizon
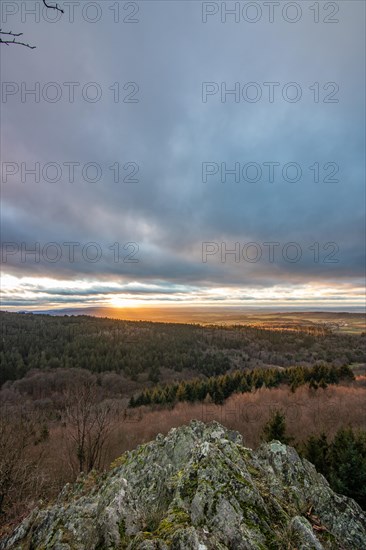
180	153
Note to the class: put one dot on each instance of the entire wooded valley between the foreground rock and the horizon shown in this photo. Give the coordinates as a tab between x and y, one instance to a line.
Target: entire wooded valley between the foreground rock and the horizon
66	383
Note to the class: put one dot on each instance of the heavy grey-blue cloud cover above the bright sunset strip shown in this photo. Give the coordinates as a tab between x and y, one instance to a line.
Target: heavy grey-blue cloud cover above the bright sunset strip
170	132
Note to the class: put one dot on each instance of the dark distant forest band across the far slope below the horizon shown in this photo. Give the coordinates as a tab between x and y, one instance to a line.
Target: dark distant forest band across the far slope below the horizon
100	345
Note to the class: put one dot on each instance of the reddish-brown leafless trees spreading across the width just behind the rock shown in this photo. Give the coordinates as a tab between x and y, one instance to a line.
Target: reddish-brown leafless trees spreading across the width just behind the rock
43	455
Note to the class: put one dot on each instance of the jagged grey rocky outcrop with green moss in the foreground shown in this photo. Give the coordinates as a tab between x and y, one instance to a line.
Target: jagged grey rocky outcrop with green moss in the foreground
198	488
